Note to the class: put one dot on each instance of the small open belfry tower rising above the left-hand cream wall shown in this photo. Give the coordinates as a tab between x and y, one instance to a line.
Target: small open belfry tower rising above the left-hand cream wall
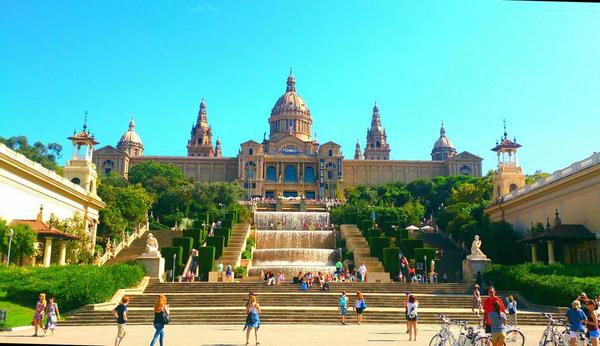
80	169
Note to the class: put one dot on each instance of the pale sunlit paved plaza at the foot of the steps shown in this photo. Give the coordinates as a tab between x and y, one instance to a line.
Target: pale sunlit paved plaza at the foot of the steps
189	335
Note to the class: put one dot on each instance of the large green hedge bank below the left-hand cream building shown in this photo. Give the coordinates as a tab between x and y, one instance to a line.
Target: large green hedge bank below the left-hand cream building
72	285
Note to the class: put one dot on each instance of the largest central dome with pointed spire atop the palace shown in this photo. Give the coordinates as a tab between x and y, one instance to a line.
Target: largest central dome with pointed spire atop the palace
290	116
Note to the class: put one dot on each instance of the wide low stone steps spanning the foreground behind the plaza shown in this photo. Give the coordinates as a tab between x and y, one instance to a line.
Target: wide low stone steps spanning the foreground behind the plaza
223	303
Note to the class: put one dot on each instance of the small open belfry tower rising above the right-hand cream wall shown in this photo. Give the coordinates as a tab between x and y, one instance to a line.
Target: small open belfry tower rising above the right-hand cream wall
509	175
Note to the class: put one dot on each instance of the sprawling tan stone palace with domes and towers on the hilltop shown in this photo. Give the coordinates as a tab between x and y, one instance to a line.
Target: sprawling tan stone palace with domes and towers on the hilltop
290	162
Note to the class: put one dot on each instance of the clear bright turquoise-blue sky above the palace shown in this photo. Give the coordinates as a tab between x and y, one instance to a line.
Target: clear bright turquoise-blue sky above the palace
467	63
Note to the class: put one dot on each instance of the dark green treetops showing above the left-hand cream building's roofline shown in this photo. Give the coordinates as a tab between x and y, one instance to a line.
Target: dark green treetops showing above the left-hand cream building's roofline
45	155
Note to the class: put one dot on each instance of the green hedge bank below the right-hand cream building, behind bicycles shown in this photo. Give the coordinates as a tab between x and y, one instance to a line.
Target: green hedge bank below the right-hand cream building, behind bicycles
555	284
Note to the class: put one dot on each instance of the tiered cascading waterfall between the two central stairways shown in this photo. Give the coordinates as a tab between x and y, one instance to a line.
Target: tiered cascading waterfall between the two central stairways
290	242
